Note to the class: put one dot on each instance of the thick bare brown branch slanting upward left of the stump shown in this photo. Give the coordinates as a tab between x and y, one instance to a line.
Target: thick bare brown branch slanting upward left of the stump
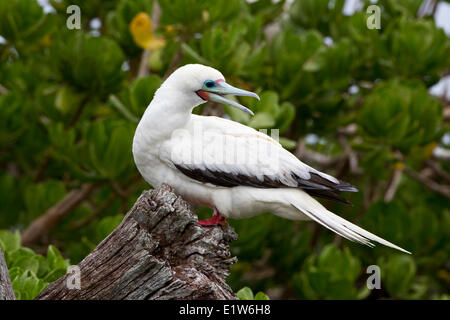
42	225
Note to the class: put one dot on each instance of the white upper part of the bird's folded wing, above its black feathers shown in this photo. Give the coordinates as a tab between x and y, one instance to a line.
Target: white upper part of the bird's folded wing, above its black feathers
227	146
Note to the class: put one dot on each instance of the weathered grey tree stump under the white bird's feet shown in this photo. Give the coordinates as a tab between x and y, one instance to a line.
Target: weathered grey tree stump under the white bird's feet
159	251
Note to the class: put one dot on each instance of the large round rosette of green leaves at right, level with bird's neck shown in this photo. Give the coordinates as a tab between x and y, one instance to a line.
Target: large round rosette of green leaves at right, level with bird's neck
401	114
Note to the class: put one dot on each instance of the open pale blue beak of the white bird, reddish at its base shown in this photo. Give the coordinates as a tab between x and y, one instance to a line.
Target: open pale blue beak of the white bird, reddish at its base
217	92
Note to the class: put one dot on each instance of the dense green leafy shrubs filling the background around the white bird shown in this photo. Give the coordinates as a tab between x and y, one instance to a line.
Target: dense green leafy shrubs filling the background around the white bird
70	101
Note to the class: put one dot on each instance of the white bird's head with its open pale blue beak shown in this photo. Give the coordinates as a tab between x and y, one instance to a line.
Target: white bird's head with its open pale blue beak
200	83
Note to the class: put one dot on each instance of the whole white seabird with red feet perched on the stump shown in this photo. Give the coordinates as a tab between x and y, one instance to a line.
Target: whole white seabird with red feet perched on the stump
234	169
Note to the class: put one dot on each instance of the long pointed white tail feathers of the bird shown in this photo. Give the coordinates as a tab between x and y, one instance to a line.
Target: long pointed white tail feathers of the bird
345	228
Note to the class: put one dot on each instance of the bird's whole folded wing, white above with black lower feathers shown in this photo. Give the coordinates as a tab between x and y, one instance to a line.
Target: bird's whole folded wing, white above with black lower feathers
245	158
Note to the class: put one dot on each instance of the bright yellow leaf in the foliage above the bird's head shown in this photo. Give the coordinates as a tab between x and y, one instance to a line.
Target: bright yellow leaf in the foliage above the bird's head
141	30
